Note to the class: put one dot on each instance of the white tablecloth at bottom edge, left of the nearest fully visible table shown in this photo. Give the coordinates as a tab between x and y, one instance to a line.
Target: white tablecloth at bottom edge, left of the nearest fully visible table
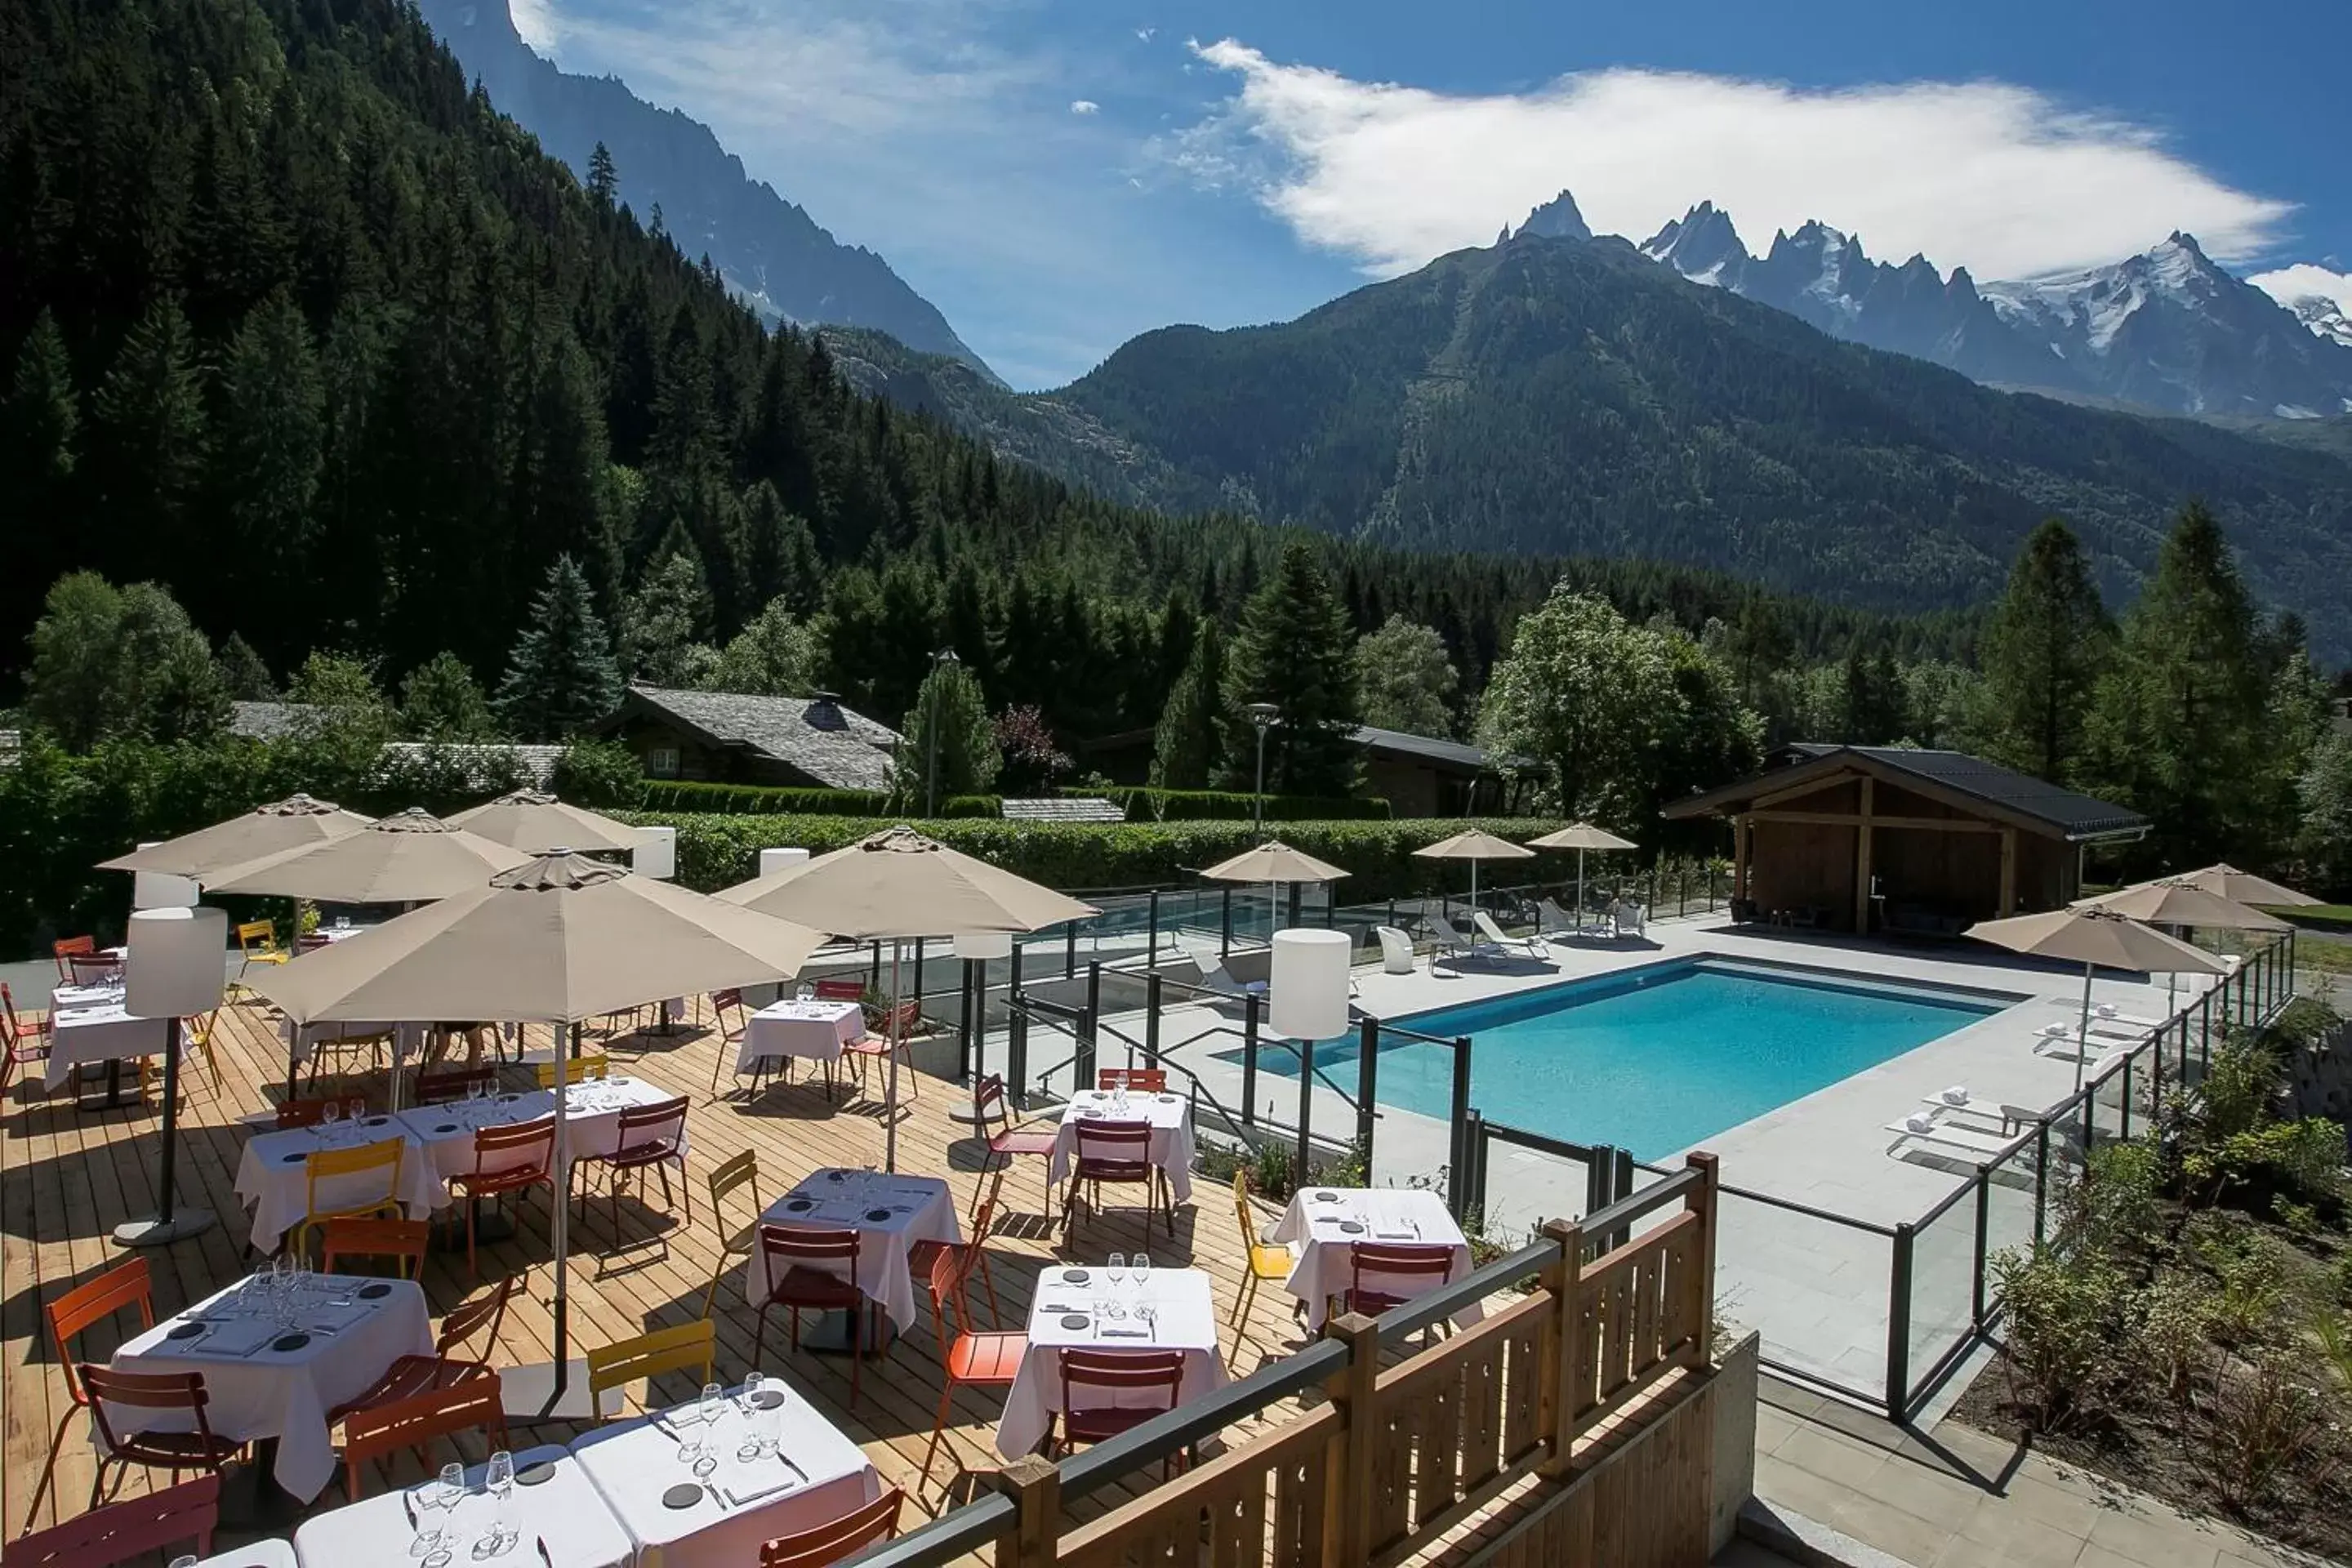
566	1513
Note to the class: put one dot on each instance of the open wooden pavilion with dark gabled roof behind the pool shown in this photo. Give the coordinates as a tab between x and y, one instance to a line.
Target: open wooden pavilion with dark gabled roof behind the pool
1878	838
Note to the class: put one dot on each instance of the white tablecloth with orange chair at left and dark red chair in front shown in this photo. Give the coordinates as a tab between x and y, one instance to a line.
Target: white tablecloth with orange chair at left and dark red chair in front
1184	1320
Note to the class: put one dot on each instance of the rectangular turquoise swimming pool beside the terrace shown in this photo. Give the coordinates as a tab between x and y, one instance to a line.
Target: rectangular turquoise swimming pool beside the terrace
1652	1059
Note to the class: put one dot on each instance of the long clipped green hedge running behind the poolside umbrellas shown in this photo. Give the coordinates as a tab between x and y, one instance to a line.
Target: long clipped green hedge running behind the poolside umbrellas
719	850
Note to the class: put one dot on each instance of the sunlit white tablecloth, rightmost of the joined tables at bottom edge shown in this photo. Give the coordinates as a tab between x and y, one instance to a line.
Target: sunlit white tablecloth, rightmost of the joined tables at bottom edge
636	1463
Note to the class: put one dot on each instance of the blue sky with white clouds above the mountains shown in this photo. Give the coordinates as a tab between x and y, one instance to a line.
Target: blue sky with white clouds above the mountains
1060	177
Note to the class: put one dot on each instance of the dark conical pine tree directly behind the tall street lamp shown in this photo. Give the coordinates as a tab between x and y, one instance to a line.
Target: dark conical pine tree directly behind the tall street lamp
1297	652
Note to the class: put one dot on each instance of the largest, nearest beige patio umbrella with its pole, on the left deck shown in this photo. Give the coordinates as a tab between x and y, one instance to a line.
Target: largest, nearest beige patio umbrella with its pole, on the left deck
552	942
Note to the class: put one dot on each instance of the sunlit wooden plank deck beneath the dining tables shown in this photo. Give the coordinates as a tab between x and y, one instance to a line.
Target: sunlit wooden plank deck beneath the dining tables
67	1179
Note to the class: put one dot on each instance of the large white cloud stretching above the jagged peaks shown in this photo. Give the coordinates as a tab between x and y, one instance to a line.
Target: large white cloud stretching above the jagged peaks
1982	175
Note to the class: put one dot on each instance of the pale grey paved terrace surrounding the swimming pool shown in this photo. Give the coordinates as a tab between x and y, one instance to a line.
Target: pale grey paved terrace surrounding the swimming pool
1817	1292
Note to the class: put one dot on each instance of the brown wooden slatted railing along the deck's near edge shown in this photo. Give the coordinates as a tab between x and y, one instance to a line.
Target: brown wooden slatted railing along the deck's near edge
1396	1459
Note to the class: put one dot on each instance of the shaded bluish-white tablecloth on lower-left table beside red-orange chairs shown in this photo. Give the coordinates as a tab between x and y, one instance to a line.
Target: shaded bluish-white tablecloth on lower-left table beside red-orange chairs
286	1395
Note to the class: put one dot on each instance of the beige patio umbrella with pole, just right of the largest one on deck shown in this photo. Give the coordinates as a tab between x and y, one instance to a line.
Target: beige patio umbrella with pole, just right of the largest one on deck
900	885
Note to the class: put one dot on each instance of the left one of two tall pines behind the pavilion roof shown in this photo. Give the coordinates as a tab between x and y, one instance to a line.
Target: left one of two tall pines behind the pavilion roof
2045	650
